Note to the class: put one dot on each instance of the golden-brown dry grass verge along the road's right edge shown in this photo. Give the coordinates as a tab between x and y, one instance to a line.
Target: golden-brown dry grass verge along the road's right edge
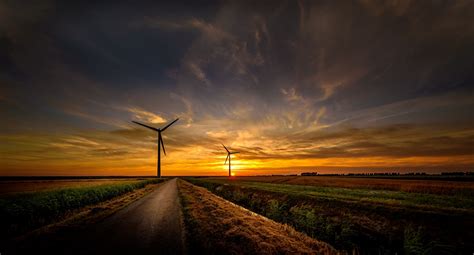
217	226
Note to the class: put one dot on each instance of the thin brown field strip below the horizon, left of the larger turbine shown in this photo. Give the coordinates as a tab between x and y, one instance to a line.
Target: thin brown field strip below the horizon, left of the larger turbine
7	187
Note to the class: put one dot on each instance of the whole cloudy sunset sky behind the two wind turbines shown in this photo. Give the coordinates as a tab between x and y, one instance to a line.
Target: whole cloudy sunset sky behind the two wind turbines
295	86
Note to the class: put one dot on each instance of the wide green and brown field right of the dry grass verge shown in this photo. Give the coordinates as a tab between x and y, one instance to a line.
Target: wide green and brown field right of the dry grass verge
362	215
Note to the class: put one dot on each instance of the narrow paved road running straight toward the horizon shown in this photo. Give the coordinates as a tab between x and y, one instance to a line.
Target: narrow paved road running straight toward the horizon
150	225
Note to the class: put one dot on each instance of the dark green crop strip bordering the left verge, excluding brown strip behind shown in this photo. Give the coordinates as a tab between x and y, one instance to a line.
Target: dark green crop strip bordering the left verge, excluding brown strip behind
22	212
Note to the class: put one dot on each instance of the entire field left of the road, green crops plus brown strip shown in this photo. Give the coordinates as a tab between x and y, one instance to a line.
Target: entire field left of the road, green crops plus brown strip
31	206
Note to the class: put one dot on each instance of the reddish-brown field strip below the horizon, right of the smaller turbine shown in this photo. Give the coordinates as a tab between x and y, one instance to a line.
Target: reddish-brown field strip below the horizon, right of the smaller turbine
441	187
